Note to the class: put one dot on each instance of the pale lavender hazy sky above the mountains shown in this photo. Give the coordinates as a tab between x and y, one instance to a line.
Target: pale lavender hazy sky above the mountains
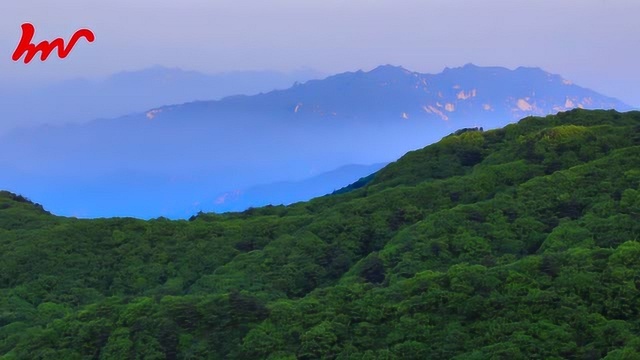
595	43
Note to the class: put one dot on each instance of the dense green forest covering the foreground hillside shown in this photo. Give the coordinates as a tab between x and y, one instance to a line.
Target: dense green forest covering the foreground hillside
515	243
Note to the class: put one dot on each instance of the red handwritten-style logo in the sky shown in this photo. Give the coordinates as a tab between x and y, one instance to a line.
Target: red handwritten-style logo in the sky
29	50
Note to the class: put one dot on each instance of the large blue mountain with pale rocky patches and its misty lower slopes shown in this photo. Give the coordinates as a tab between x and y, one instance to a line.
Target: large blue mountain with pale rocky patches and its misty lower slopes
165	160
